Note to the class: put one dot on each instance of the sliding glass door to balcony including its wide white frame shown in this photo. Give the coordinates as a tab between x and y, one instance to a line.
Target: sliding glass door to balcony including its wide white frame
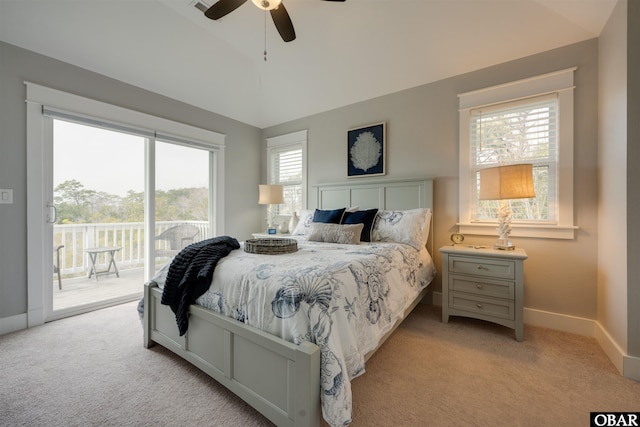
92	170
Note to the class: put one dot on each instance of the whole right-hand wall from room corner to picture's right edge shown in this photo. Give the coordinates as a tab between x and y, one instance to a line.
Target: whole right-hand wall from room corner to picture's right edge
619	199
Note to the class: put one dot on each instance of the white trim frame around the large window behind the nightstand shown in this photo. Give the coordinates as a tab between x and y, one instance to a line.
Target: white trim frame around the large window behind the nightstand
560	82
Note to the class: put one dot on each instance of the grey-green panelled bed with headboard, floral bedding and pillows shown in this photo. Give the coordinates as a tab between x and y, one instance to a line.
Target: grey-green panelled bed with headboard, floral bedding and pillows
326	308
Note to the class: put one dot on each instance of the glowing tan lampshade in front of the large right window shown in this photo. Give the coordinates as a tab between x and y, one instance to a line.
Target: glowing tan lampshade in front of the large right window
507	182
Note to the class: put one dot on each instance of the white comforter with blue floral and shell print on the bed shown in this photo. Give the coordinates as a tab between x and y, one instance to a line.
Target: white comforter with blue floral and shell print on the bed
343	298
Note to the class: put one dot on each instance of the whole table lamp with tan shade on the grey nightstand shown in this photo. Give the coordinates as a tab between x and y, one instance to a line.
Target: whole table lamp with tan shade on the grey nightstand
504	183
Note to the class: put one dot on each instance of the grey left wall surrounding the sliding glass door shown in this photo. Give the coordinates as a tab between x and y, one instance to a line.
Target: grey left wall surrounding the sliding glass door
17	65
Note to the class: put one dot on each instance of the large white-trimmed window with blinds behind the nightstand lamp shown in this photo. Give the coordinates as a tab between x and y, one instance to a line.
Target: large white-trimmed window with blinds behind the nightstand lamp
523	121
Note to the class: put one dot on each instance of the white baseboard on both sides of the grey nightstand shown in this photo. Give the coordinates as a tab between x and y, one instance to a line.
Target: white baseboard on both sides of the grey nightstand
628	366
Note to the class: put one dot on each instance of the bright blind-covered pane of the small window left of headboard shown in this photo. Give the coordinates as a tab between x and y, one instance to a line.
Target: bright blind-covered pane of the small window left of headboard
286	170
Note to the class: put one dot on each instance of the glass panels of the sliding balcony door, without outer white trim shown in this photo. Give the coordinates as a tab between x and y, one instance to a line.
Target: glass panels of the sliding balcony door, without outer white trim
105	202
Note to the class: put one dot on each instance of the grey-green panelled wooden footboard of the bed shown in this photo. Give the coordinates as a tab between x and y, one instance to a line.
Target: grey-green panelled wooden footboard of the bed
279	379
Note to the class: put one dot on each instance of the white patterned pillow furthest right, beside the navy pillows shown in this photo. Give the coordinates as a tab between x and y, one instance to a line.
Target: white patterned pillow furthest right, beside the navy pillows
403	226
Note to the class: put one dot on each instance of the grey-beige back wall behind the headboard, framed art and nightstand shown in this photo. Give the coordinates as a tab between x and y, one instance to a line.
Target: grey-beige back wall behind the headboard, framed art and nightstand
560	275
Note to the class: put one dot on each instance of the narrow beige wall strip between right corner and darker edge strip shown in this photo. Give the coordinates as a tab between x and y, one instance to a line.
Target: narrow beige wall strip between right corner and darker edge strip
612	163
